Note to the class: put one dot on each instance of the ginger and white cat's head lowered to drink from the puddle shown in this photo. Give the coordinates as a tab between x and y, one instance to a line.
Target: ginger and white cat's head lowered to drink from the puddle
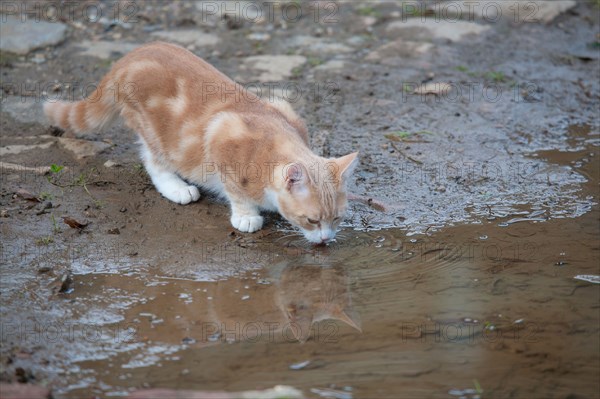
313	195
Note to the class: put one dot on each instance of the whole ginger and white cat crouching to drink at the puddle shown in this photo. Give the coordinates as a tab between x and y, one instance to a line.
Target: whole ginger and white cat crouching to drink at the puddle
197	127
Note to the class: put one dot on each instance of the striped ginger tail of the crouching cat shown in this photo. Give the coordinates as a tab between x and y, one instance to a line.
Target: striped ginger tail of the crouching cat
94	112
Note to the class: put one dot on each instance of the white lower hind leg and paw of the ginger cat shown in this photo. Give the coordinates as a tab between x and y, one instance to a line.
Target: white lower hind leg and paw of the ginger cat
167	182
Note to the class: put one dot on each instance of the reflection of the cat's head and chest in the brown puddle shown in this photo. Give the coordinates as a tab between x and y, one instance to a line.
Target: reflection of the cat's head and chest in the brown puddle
286	310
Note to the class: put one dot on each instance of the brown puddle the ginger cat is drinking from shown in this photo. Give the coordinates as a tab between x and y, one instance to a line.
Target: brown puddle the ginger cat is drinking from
425	314
